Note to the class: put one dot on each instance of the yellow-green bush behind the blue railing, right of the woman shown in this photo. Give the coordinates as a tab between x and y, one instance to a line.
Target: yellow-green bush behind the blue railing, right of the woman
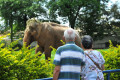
112	60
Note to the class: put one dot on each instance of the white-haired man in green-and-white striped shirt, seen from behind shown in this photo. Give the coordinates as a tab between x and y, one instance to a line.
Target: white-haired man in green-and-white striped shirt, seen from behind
68	58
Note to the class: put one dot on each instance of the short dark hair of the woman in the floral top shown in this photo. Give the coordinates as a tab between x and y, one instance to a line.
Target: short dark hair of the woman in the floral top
87	42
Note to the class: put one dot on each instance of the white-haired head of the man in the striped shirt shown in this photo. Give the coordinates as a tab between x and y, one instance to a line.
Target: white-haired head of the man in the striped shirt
69	35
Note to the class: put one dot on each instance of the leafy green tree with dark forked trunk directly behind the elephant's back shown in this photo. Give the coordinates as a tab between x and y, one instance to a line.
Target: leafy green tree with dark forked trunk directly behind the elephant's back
70	9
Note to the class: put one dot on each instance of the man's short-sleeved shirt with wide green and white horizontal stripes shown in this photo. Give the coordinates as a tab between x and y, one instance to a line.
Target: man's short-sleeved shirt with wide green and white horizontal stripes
70	57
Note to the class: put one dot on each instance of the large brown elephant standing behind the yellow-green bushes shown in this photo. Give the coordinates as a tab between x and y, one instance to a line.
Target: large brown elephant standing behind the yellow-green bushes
46	34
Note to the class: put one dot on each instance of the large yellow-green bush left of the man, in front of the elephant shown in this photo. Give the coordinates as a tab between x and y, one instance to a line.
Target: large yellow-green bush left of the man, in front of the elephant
22	64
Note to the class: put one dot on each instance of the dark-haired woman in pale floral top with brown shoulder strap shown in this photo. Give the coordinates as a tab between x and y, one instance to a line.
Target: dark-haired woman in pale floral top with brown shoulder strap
94	61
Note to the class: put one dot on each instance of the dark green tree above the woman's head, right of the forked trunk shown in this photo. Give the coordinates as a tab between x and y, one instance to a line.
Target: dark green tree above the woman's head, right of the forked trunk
90	20
